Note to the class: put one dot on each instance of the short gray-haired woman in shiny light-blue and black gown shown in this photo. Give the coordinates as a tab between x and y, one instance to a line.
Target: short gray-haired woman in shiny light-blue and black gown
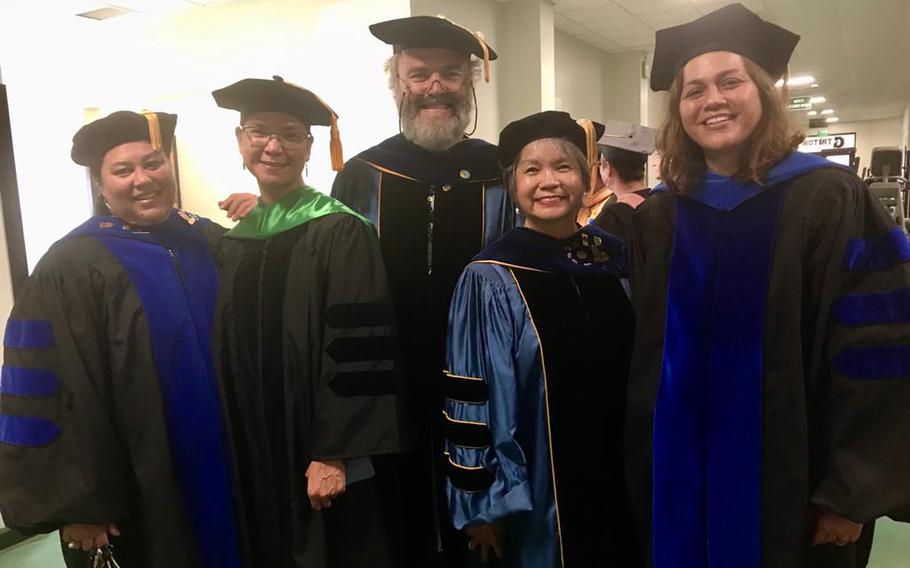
534	432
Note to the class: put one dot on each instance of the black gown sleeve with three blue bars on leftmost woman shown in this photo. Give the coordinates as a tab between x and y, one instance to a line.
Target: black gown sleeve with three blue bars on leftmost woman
60	458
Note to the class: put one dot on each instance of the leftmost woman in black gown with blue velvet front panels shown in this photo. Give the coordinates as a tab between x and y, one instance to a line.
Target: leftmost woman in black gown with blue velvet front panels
110	426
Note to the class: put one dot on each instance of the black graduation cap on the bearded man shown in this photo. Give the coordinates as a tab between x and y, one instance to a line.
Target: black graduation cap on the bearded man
435	31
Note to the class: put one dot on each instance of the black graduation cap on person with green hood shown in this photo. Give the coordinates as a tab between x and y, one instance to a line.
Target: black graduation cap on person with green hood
249	96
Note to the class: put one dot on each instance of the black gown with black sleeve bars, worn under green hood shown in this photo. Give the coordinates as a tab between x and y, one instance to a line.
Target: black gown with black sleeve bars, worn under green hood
306	352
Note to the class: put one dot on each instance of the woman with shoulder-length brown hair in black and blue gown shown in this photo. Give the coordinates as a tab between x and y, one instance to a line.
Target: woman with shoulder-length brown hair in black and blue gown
768	392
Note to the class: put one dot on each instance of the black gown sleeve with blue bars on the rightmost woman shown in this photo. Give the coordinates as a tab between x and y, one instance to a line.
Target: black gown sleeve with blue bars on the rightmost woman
860	268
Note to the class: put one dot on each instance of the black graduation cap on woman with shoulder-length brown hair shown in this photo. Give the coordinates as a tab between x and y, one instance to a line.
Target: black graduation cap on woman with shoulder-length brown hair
732	28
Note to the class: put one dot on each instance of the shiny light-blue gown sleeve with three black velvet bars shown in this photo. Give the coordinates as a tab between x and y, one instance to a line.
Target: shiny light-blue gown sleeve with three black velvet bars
487	468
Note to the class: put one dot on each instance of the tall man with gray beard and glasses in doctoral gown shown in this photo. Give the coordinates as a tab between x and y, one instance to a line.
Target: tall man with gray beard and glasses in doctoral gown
436	199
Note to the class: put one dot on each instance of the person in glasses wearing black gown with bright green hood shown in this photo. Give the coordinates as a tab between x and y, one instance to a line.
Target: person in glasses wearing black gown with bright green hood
308	353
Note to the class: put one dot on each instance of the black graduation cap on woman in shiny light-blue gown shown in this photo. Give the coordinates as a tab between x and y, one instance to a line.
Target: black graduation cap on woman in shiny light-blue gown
547	124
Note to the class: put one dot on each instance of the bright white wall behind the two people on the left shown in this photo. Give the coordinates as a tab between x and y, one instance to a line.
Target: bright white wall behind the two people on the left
172	63
